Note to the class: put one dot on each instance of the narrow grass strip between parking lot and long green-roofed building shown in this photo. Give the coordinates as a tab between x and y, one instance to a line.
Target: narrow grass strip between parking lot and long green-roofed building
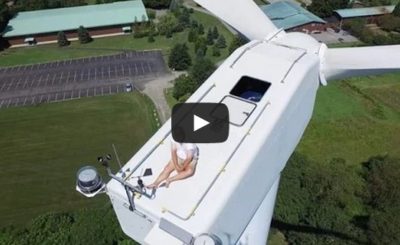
111	45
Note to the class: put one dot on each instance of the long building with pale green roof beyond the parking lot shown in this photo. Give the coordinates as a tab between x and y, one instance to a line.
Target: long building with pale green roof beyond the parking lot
100	19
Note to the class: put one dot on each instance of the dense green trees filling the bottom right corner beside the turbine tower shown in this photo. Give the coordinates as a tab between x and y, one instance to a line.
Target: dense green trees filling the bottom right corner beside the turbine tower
336	204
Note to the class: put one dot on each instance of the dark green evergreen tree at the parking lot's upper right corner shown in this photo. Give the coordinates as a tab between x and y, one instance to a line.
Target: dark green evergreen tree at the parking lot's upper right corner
179	58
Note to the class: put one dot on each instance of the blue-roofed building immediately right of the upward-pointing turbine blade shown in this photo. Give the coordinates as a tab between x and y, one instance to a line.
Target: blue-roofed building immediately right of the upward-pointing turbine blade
292	17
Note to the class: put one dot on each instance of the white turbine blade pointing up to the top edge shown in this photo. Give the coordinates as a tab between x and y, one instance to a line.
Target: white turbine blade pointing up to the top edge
243	15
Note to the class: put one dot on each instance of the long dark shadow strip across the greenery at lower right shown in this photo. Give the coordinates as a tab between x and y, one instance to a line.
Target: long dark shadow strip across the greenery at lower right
283	226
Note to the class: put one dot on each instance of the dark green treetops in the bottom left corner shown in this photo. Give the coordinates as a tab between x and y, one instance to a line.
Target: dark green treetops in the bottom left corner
88	226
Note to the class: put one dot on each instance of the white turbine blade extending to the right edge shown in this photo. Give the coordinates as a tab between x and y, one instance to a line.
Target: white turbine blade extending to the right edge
348	62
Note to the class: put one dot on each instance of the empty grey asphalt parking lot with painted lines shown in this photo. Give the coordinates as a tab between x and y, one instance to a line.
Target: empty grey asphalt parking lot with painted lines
72	79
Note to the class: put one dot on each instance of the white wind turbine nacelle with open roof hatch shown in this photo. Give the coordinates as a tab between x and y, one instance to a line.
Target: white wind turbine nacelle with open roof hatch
230	185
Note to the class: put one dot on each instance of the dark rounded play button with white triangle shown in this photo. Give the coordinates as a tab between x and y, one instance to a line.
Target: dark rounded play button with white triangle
200	122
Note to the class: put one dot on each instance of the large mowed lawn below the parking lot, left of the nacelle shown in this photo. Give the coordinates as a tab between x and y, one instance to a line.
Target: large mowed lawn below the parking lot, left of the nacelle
42	147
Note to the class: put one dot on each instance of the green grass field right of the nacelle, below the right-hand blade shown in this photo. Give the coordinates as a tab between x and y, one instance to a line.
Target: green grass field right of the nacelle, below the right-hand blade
355	119
